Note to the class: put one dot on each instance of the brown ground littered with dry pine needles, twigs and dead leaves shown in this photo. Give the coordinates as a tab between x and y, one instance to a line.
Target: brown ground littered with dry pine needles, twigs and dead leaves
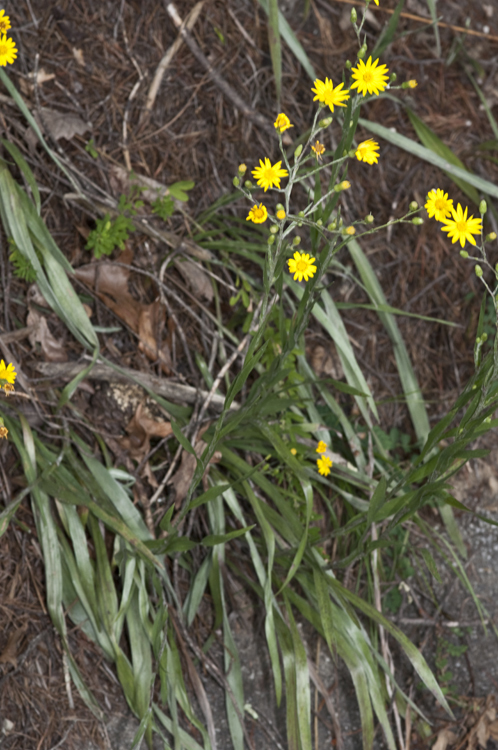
87	65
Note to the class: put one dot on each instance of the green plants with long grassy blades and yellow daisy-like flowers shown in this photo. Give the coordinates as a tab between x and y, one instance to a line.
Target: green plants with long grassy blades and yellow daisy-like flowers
283	440
